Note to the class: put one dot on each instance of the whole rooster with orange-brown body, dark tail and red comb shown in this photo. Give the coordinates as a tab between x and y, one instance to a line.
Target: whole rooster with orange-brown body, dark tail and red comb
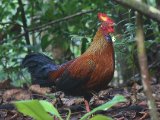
92	71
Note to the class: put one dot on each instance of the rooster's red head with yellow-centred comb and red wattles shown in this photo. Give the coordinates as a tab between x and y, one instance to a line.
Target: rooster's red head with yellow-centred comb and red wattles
107	24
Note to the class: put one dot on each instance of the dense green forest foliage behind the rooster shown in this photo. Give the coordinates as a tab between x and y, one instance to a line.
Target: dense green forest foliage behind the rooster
67	39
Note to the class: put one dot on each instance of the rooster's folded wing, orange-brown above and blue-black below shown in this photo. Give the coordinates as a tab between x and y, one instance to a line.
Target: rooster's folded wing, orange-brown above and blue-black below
77	74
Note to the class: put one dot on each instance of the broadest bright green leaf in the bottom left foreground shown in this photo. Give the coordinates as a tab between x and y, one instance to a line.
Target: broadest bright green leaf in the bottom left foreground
33	108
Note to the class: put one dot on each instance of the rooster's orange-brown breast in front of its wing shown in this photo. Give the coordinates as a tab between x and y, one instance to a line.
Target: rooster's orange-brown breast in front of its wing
103	71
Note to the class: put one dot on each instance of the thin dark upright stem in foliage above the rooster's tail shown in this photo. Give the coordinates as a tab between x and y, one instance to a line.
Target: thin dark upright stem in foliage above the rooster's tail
26	33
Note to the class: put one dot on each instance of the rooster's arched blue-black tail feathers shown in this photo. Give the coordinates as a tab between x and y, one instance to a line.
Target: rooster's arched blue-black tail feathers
39	65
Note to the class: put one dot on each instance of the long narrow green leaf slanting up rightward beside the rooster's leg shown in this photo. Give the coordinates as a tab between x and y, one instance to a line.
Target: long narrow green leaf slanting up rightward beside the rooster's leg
106	106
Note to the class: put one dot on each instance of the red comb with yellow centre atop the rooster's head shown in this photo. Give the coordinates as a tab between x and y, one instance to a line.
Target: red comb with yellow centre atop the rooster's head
104	18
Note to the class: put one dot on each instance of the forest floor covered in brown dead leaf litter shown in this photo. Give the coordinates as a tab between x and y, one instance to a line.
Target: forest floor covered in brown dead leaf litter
134	109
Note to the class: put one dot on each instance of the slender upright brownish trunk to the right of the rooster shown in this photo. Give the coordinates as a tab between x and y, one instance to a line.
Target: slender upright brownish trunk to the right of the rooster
144	67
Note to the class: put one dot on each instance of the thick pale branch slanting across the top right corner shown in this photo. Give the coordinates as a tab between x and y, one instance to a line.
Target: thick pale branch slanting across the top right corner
143	8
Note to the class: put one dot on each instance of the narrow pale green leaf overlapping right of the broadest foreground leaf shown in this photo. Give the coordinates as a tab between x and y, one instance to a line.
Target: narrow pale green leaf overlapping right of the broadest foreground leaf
50	108
